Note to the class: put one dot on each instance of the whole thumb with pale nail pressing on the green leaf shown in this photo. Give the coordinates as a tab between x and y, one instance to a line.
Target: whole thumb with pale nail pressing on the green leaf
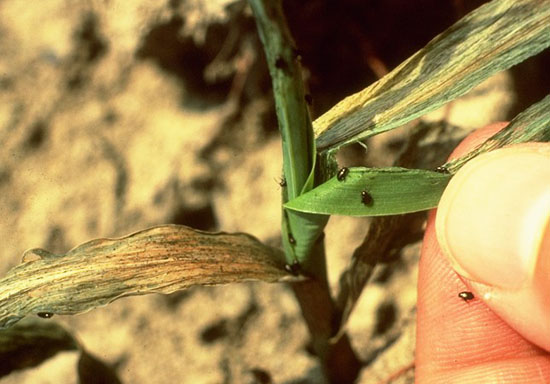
493	224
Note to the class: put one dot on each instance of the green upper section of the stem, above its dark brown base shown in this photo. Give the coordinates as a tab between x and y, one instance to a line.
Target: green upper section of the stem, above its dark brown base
300	232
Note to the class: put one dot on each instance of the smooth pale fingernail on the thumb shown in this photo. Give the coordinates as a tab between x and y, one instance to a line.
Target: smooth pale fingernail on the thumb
493	220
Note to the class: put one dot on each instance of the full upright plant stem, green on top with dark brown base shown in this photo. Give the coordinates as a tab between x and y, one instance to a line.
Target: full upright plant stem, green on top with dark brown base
302	233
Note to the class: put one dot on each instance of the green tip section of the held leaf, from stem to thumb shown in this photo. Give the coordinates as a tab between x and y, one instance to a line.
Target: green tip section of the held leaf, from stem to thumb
374	192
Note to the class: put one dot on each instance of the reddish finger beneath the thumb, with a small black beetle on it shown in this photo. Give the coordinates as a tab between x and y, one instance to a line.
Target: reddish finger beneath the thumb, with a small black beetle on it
460	342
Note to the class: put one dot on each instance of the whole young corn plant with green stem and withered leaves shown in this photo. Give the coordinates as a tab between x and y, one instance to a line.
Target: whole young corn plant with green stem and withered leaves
168	258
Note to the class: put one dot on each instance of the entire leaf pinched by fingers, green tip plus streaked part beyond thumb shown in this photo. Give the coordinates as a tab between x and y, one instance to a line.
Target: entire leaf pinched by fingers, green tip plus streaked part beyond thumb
402	190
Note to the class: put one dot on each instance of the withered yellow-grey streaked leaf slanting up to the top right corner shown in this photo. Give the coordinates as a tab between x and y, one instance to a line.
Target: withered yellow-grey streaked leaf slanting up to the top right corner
490	39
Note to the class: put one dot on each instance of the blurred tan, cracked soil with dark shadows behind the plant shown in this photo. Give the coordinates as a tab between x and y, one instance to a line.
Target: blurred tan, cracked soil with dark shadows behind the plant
120	115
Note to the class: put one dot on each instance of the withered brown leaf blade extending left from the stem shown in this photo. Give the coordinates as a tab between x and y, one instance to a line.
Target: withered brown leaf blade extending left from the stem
161	259
